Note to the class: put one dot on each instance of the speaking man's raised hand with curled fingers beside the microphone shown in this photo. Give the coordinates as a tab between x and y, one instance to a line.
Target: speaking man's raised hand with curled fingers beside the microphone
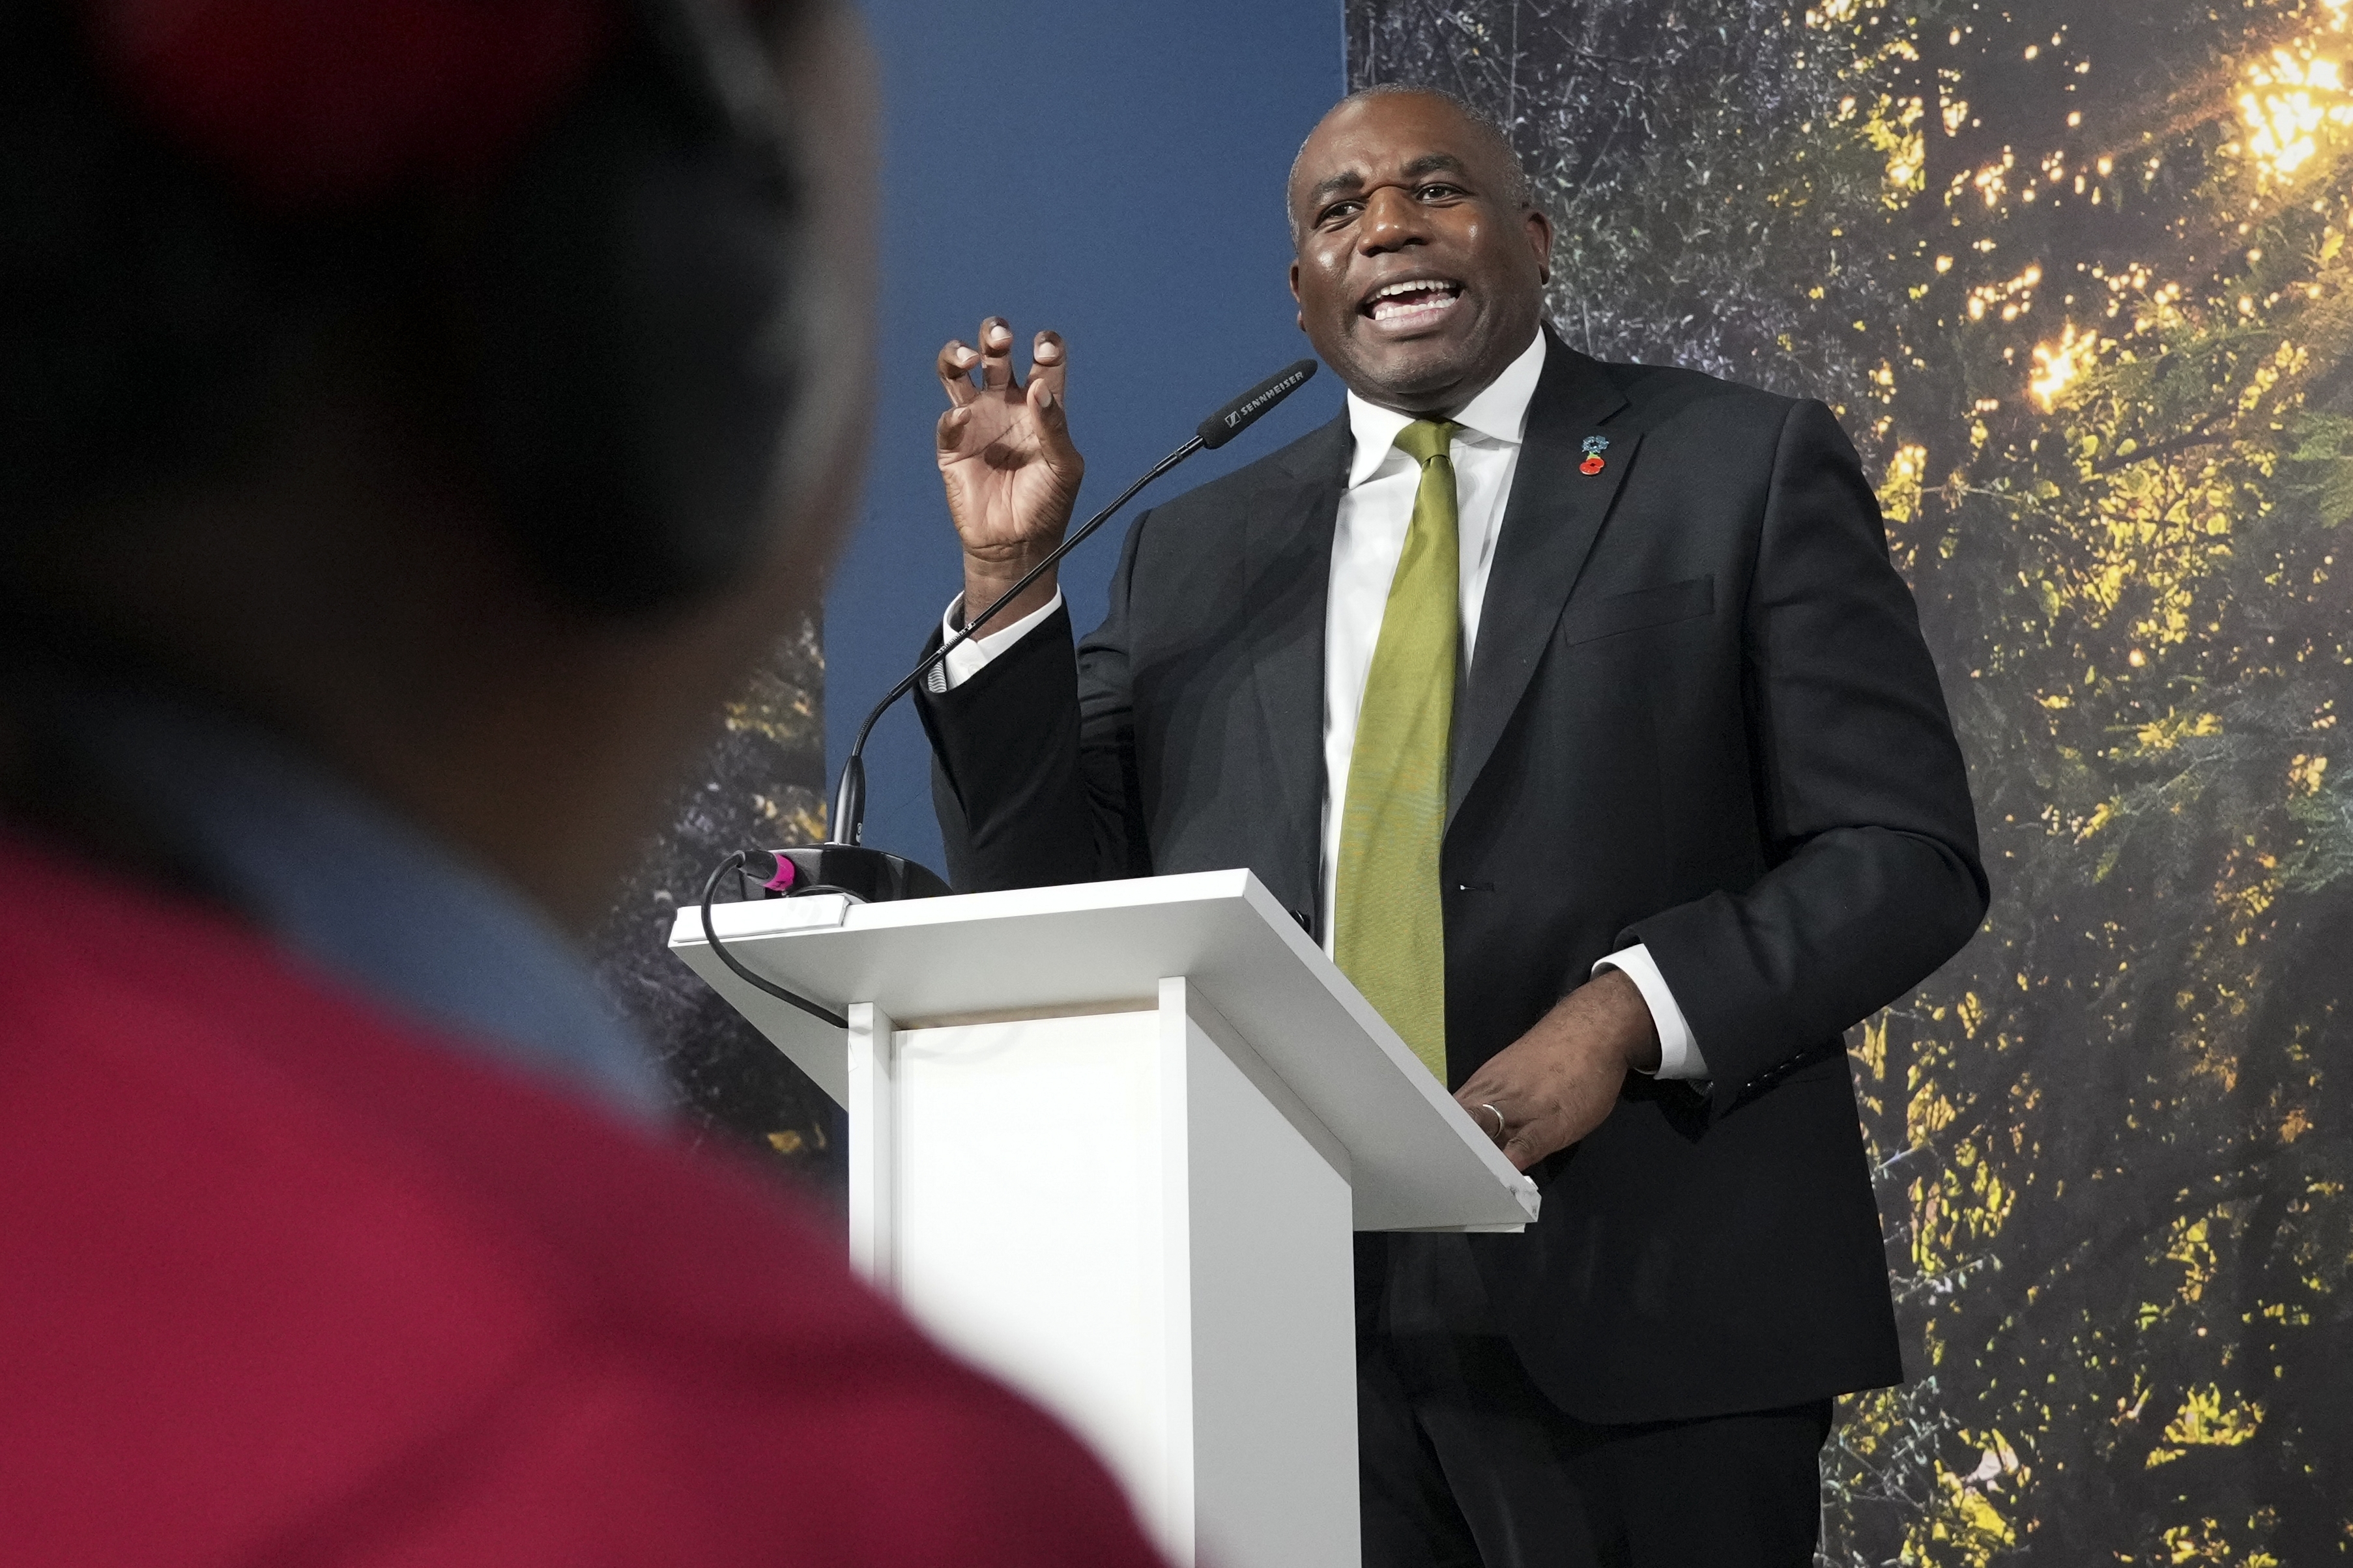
1008	464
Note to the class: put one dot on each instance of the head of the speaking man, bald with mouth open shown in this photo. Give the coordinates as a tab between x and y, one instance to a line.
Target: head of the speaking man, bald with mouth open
1418	279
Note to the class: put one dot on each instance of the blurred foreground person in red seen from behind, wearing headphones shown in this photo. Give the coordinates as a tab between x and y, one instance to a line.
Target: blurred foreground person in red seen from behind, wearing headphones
415	417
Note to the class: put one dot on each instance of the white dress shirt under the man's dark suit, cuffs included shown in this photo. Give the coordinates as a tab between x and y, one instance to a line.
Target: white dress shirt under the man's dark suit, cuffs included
1368	540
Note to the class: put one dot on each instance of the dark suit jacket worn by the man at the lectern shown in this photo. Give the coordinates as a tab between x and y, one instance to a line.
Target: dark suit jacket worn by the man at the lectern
1700	716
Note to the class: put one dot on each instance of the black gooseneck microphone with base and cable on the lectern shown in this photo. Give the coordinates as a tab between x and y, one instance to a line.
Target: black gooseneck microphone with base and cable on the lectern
872	876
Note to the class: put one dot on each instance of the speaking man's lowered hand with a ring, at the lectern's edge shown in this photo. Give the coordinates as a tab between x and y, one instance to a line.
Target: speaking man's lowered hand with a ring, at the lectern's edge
1559	1083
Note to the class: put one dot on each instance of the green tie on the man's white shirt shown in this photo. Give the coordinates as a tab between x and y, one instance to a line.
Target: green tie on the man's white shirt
1387	923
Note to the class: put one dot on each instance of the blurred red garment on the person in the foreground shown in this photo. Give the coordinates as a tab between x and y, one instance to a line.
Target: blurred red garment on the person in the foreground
288	1282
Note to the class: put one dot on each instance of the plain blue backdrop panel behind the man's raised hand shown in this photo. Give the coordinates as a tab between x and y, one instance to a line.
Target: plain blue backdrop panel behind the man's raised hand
1107	170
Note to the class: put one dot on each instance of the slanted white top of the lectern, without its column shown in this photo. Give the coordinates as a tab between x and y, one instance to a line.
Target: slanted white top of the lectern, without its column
1105	946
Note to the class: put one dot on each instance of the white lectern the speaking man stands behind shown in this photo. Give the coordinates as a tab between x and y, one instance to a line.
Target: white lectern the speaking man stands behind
1109	1144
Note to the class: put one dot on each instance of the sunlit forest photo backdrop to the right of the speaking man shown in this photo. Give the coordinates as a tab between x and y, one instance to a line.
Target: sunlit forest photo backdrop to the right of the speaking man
2077	281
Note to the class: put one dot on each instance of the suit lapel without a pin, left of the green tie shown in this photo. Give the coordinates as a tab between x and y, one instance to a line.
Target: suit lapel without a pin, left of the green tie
1288	577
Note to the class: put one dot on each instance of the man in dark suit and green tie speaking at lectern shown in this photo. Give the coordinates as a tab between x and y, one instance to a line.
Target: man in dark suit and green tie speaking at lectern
1582	716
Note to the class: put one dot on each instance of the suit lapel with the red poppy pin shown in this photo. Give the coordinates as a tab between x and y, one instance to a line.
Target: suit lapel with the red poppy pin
1549	528
